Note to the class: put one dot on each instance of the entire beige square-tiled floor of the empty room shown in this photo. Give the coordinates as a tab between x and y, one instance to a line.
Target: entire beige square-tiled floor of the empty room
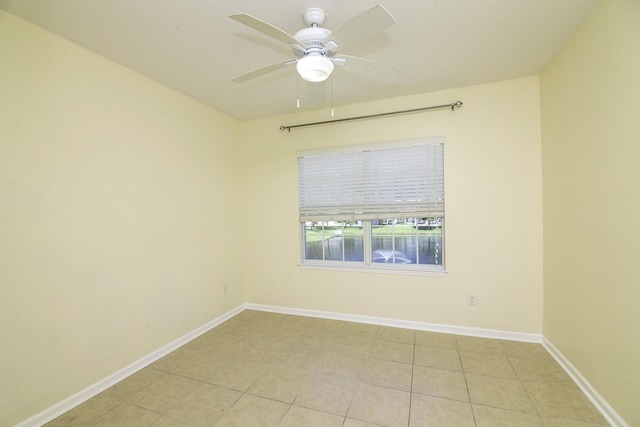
266	369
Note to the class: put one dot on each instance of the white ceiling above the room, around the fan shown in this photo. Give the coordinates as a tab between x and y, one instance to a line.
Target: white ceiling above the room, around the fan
193	47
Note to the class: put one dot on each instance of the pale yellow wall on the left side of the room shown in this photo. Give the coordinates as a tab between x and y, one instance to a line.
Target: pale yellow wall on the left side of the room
116	196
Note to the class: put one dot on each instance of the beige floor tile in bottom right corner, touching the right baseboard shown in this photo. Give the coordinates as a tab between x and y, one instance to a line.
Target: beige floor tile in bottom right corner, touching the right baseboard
563	401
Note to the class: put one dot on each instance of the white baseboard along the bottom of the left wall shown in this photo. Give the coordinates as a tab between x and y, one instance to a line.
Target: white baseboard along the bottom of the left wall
71	402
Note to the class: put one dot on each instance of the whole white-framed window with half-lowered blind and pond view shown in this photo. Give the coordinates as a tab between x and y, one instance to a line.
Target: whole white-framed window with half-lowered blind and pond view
375	207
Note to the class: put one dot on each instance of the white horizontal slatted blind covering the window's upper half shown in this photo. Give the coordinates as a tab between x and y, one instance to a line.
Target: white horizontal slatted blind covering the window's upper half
399	182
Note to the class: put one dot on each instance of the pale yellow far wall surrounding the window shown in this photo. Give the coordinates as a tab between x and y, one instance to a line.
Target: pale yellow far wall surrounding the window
493	188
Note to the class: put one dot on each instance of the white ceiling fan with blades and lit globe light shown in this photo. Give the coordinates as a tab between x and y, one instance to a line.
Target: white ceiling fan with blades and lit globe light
315	48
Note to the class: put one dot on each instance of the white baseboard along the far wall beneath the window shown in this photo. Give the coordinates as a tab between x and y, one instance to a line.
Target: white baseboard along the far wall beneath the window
407	324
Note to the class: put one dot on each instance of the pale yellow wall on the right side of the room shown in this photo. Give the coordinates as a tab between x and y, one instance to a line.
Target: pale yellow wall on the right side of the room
591	158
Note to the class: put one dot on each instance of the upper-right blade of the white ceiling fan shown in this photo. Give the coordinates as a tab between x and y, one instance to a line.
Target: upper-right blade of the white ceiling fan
359	28
